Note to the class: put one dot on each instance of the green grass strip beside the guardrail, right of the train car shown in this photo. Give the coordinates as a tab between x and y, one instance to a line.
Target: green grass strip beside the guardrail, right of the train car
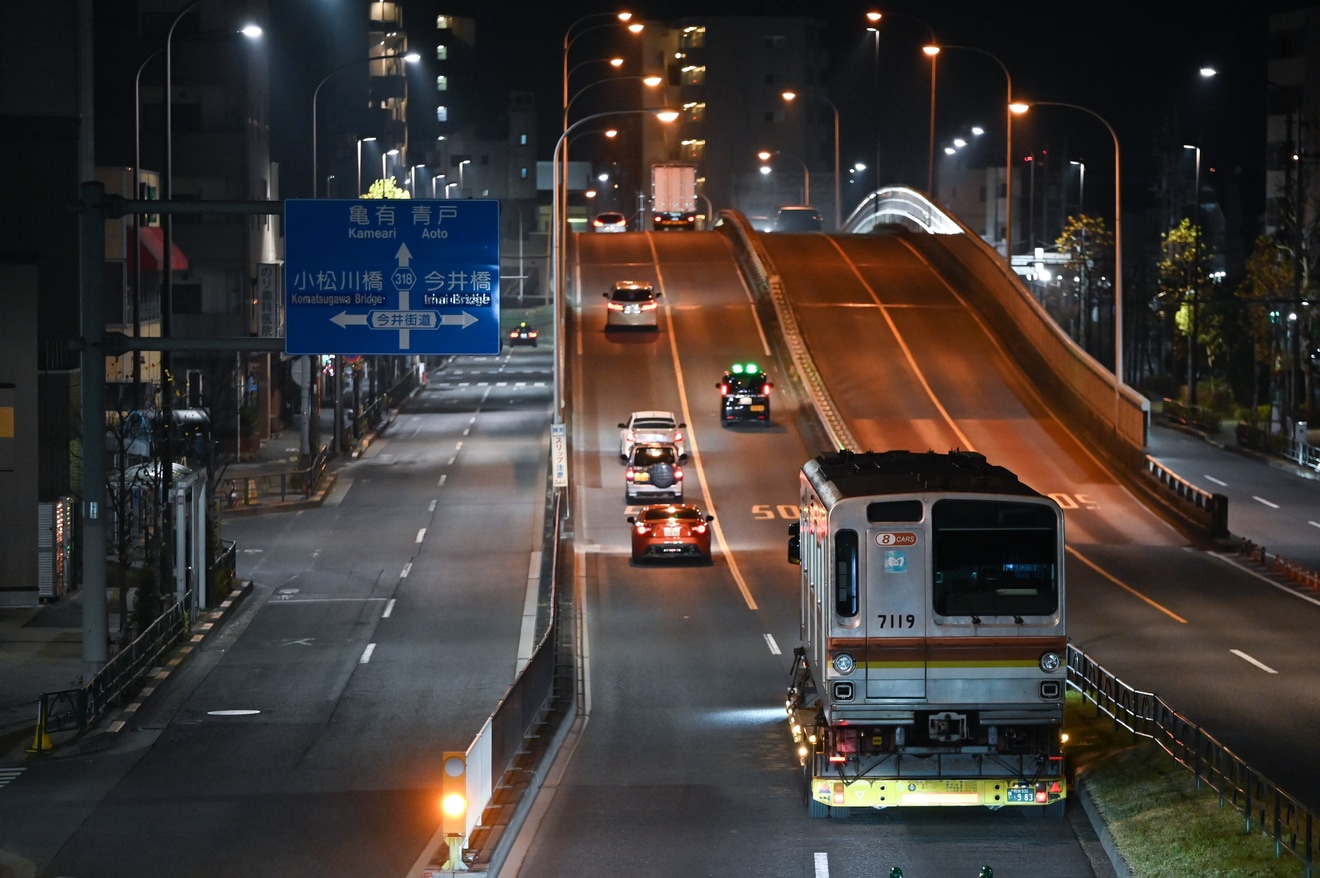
1160	822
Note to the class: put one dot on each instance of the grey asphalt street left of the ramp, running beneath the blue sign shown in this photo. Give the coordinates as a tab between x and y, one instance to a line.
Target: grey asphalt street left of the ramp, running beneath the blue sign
383	629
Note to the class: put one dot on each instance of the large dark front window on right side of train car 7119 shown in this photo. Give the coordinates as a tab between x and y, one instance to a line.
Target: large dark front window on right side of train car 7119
995	558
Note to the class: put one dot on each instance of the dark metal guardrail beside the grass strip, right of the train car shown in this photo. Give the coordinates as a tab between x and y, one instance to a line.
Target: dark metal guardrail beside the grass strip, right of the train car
1264	806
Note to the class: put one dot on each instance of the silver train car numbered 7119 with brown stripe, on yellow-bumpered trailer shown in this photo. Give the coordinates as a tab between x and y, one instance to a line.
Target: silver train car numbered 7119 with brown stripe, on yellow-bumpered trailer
933	665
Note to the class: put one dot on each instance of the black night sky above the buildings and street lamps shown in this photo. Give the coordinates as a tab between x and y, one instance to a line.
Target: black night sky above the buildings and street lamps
1133	65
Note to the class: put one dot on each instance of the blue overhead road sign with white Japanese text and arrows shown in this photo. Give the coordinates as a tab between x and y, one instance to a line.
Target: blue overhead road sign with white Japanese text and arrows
394	277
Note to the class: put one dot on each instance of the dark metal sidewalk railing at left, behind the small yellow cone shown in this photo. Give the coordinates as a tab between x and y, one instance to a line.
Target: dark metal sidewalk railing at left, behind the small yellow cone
118	681
